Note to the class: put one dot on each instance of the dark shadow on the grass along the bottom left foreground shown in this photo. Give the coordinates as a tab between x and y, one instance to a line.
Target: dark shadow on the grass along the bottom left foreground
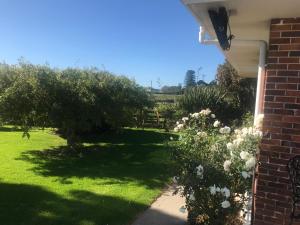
22	204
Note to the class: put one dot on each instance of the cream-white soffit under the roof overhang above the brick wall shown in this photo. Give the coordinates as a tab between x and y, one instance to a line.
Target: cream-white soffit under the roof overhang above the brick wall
249	20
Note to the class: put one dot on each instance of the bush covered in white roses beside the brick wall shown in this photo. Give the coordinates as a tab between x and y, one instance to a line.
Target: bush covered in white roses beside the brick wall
215	166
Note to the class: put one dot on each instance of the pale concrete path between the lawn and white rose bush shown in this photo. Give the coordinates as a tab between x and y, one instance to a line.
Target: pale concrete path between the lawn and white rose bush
164	211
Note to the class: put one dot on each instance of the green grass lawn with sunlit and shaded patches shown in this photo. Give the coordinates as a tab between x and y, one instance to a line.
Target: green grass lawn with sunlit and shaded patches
109	182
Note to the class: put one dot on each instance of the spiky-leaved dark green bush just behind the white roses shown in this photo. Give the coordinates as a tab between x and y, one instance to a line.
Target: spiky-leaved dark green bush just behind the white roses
215	98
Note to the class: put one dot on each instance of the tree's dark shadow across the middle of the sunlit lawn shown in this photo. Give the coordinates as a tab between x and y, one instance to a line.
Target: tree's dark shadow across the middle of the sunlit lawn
148	164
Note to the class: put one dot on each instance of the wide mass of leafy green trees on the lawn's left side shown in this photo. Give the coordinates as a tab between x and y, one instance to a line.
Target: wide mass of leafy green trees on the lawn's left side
73	100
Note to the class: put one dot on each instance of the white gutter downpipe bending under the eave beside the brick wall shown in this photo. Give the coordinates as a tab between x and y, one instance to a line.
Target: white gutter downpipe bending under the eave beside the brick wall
261	65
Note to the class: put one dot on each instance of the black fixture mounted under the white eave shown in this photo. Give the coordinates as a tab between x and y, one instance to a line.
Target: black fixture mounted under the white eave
220	21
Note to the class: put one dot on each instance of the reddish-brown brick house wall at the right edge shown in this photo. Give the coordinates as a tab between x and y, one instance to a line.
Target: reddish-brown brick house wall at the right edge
281	125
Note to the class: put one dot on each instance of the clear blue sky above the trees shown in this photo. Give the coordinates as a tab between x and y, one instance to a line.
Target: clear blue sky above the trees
142	39
